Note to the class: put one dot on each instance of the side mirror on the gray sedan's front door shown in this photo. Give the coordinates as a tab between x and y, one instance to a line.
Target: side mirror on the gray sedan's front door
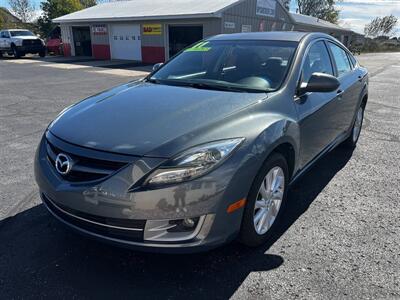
320	83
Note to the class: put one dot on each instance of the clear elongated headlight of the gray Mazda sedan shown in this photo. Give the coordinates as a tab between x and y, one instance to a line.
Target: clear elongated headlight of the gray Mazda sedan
193	163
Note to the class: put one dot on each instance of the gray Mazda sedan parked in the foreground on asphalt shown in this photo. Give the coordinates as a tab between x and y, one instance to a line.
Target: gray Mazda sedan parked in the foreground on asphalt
203	150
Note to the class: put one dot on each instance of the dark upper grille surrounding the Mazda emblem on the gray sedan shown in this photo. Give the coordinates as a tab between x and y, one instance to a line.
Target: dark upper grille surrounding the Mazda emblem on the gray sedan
84	168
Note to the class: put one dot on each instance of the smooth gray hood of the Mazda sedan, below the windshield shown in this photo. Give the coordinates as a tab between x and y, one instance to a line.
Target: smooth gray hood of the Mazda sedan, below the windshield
139	117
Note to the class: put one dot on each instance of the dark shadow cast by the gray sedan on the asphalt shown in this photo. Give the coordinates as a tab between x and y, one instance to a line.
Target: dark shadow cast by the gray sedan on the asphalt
40	258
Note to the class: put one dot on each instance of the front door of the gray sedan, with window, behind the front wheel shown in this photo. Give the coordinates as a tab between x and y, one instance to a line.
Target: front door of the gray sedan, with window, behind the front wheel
319	124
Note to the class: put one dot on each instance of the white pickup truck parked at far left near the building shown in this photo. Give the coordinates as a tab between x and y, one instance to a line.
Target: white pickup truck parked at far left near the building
18	42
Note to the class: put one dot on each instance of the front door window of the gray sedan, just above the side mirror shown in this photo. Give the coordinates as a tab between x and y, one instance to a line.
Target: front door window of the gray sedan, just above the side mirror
317	60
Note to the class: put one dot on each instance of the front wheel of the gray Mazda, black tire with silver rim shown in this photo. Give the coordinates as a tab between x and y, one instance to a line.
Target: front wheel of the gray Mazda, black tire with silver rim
249	235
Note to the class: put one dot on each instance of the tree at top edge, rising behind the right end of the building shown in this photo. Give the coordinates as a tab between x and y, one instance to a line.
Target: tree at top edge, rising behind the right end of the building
322	9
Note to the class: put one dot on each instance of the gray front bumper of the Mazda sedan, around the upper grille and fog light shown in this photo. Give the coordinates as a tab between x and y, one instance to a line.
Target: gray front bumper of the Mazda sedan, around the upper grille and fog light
91	207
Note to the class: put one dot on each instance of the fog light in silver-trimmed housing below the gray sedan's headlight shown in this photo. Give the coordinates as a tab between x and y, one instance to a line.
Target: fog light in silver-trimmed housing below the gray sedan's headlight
173	230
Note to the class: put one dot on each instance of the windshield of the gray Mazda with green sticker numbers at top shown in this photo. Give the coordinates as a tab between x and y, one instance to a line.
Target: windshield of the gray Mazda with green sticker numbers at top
251	66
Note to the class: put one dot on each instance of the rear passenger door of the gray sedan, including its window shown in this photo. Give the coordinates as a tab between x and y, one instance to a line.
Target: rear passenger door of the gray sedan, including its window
350	85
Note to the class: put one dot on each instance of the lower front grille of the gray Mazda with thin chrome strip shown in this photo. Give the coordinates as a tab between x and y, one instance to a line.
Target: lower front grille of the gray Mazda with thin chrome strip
123	229
